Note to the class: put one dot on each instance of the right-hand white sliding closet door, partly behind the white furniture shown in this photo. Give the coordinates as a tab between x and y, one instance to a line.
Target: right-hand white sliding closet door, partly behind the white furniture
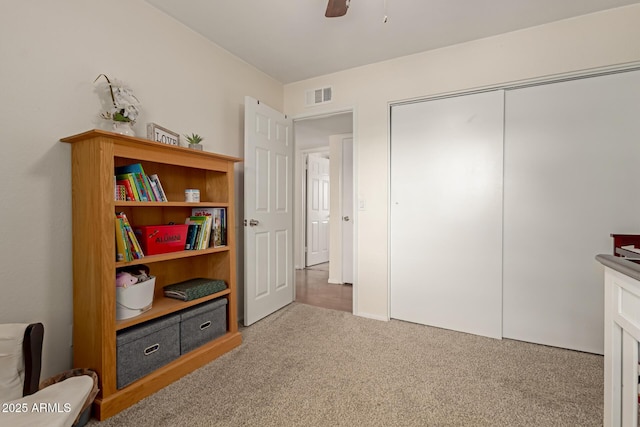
572	159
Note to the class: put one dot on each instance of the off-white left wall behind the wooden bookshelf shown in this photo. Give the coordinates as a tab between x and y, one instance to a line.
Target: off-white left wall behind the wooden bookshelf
51	52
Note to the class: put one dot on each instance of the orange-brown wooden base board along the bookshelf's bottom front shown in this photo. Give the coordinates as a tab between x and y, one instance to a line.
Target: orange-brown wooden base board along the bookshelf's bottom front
106	406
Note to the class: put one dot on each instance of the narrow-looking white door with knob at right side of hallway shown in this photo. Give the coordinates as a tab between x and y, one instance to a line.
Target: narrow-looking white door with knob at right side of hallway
347	210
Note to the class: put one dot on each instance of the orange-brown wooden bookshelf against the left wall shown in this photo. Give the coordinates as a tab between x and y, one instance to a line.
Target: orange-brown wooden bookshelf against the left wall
94	155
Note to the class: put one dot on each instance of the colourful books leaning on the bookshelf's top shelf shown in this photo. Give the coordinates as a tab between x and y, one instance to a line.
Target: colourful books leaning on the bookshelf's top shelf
137	185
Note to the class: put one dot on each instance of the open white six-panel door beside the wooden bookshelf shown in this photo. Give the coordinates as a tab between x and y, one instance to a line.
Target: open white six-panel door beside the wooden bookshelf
268	194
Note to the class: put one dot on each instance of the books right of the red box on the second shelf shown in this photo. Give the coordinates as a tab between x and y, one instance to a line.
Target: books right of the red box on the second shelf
207	228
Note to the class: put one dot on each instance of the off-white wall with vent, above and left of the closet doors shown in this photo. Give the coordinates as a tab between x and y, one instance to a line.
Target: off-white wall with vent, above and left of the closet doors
597	40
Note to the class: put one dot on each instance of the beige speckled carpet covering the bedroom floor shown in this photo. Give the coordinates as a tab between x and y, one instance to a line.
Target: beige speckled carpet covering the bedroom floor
309	366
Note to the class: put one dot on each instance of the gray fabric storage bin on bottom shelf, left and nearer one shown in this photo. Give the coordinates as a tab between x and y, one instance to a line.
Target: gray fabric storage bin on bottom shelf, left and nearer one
144	348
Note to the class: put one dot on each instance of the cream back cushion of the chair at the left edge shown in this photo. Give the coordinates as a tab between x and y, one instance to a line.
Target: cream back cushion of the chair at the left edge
11	360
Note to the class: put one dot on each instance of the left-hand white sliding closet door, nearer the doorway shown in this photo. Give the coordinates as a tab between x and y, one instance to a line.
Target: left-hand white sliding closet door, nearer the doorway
446	213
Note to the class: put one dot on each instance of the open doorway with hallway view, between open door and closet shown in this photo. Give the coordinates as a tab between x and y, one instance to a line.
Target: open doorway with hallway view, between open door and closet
324	190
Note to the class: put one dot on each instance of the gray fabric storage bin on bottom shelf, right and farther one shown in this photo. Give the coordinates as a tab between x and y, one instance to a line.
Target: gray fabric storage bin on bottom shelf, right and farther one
202	323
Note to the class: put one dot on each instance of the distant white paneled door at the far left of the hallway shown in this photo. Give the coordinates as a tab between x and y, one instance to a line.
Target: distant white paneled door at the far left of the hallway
317	210
